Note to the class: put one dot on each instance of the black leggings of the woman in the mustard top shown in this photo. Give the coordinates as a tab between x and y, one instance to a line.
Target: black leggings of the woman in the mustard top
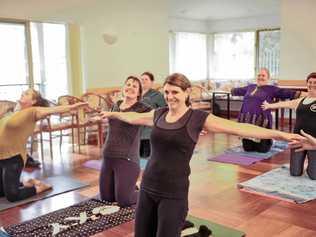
10	186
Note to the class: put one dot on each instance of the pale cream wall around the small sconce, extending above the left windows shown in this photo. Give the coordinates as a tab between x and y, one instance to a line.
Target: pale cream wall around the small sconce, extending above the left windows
141	27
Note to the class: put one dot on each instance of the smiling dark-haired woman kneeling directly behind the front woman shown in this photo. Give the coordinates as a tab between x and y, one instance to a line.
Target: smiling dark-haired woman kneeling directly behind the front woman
120	167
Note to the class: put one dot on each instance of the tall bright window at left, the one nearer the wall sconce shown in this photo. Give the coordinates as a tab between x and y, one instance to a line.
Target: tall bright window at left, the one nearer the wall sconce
50	58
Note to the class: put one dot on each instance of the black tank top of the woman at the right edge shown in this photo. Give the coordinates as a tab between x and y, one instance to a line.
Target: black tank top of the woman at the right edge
306	118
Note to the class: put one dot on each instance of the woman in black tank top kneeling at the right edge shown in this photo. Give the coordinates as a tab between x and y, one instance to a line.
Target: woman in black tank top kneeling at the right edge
305	120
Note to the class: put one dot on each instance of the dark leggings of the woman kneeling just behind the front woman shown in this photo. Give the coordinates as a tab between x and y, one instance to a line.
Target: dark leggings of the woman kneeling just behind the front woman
118	181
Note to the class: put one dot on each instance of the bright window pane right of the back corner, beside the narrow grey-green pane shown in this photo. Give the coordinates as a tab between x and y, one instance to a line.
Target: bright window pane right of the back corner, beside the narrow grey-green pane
233	56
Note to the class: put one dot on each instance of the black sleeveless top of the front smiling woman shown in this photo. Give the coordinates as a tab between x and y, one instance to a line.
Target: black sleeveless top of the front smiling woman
167	172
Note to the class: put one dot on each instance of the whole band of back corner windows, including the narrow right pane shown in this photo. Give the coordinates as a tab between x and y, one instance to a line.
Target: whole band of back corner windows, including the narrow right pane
225	56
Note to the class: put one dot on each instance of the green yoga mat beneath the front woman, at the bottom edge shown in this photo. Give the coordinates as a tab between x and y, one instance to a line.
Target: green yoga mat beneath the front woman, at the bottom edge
218	230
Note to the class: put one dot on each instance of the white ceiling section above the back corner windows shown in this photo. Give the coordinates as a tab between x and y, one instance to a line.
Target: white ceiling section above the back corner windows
222	9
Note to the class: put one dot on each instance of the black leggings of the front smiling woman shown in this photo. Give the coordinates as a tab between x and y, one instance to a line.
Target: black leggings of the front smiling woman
159	217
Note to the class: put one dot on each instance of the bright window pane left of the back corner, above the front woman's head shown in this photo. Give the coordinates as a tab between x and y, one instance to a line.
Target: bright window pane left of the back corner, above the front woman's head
188	55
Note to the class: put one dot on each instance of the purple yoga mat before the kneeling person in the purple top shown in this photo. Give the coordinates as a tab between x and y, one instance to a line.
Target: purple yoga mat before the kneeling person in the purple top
235	159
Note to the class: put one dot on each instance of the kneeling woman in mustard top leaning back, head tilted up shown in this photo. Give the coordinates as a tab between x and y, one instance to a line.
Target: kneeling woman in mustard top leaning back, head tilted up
14	132
